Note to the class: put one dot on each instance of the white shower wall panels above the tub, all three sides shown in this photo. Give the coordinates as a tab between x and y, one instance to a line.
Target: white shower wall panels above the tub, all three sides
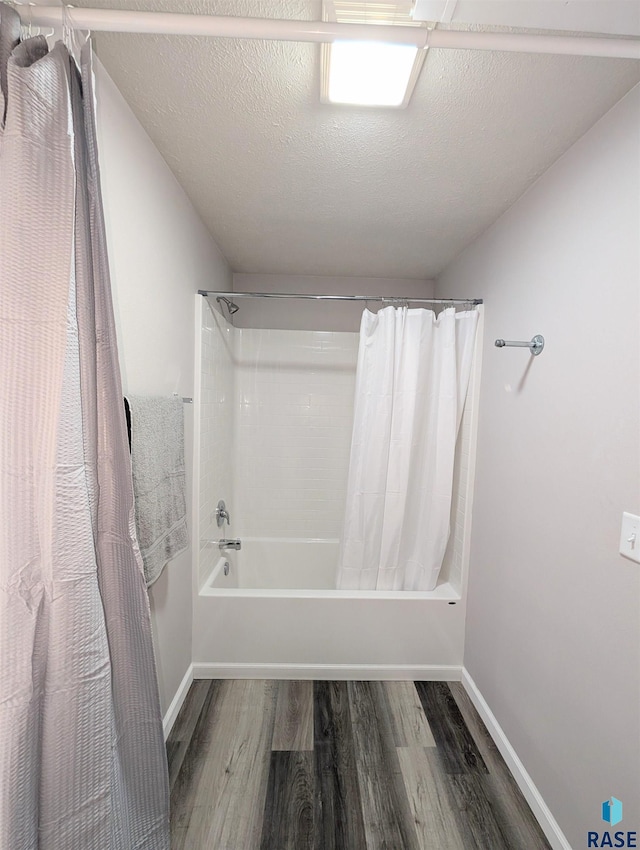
276	423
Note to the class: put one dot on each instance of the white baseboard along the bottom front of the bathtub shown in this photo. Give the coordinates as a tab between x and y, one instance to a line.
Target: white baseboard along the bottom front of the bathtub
429	672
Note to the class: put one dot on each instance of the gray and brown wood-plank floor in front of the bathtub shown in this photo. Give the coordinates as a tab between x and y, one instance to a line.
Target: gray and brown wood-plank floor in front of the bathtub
283	765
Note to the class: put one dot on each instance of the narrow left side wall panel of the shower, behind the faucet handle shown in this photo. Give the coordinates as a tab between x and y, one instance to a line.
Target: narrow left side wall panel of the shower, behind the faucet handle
217	399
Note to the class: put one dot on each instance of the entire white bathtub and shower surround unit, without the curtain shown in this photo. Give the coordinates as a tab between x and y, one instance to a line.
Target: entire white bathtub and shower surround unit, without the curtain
279	423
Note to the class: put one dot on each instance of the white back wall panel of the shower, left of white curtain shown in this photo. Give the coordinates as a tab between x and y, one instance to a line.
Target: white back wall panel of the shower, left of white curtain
293	431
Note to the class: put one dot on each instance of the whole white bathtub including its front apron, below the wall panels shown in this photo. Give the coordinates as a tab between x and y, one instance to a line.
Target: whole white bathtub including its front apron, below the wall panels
278	615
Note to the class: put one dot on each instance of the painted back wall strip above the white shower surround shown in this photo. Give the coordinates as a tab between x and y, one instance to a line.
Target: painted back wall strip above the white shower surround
316	315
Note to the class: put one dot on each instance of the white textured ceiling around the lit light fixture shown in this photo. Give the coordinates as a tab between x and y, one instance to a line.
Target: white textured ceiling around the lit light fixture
289	186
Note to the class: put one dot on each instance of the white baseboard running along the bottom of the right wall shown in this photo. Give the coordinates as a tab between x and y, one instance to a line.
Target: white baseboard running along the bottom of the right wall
541	811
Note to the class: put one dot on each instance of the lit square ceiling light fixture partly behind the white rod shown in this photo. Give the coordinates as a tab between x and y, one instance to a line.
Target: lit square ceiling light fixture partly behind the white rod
369	73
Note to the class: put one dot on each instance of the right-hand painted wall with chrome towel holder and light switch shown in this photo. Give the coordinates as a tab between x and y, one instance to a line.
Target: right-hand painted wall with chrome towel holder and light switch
553	629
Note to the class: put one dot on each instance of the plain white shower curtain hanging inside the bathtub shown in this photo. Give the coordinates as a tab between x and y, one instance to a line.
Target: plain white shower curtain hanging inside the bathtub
412	378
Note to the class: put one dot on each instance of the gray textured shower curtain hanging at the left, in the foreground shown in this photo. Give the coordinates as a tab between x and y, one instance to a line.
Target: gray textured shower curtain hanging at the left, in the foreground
82	760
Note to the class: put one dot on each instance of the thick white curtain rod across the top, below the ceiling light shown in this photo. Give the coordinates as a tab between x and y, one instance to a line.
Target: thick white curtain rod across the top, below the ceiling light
176	23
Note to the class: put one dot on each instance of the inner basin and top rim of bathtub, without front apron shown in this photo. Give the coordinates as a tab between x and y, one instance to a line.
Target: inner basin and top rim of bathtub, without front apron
293	567
